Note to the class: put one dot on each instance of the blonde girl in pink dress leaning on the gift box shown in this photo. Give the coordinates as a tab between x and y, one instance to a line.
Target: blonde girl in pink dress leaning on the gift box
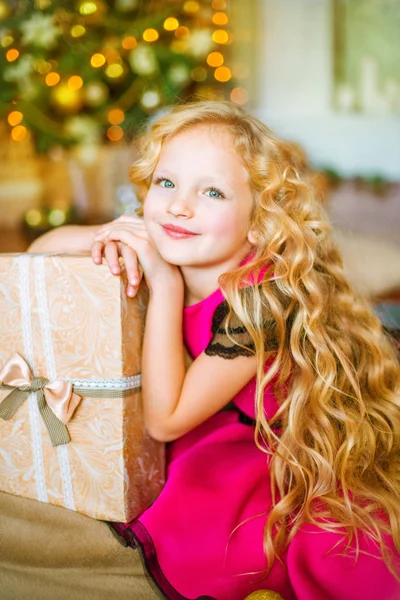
283	454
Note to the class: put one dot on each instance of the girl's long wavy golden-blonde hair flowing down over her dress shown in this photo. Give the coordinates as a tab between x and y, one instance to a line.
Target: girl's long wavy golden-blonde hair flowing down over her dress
337	462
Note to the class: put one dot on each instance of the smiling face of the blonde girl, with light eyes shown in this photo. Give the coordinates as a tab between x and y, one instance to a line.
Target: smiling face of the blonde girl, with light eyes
198	207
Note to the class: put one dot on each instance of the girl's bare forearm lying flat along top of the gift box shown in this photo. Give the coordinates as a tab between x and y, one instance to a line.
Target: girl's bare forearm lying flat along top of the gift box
77	239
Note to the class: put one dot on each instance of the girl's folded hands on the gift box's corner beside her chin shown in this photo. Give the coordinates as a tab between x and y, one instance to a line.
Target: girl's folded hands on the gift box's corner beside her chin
127	237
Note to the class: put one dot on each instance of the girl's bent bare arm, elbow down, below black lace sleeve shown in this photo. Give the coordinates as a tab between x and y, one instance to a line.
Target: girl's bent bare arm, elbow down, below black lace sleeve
176	400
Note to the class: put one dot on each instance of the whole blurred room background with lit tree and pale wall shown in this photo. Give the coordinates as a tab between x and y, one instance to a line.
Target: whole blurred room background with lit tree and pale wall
81	78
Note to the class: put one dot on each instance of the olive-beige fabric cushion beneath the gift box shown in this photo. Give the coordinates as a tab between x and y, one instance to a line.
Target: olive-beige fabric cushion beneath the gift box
51	553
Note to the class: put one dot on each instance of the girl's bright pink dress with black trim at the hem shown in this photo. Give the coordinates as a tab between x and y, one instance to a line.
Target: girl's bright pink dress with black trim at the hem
203	537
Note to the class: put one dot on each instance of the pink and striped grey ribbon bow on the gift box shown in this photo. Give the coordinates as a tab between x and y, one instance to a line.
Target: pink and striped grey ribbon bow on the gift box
56	400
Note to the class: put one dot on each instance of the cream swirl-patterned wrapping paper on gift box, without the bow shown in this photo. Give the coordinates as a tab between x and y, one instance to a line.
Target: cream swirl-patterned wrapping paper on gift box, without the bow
71	320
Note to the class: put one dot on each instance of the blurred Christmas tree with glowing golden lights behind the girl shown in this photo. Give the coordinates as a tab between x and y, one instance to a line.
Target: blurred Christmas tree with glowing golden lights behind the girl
88	71
